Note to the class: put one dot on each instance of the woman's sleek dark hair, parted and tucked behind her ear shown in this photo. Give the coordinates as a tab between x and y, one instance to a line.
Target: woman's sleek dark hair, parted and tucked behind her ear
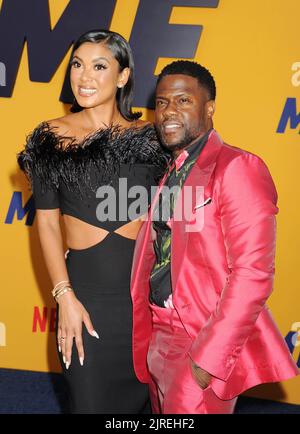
122	53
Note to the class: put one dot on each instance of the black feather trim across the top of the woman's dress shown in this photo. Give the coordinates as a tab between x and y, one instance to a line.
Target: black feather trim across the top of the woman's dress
53	158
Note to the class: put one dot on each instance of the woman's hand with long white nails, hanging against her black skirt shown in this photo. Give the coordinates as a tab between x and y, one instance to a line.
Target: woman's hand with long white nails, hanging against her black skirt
71	316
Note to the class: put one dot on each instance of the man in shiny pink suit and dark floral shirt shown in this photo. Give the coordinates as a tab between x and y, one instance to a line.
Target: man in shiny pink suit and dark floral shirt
204	262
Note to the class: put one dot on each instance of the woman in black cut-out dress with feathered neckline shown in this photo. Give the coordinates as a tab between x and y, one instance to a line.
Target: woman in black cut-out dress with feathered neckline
82	166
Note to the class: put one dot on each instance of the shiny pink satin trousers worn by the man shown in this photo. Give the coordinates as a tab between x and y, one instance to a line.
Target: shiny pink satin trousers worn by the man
173	389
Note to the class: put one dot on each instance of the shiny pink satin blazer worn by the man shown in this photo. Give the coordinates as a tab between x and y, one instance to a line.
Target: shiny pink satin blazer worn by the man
222	274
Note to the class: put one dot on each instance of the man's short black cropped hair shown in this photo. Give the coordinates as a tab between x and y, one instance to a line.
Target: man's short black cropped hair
193	69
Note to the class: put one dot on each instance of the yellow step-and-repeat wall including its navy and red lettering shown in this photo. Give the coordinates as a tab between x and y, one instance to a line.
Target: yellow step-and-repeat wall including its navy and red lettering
252	49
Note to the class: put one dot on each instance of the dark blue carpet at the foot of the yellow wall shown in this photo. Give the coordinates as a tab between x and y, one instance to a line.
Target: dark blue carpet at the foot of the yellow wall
24	392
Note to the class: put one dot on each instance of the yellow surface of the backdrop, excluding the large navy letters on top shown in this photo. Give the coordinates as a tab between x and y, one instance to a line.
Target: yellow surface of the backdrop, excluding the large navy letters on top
252	49
